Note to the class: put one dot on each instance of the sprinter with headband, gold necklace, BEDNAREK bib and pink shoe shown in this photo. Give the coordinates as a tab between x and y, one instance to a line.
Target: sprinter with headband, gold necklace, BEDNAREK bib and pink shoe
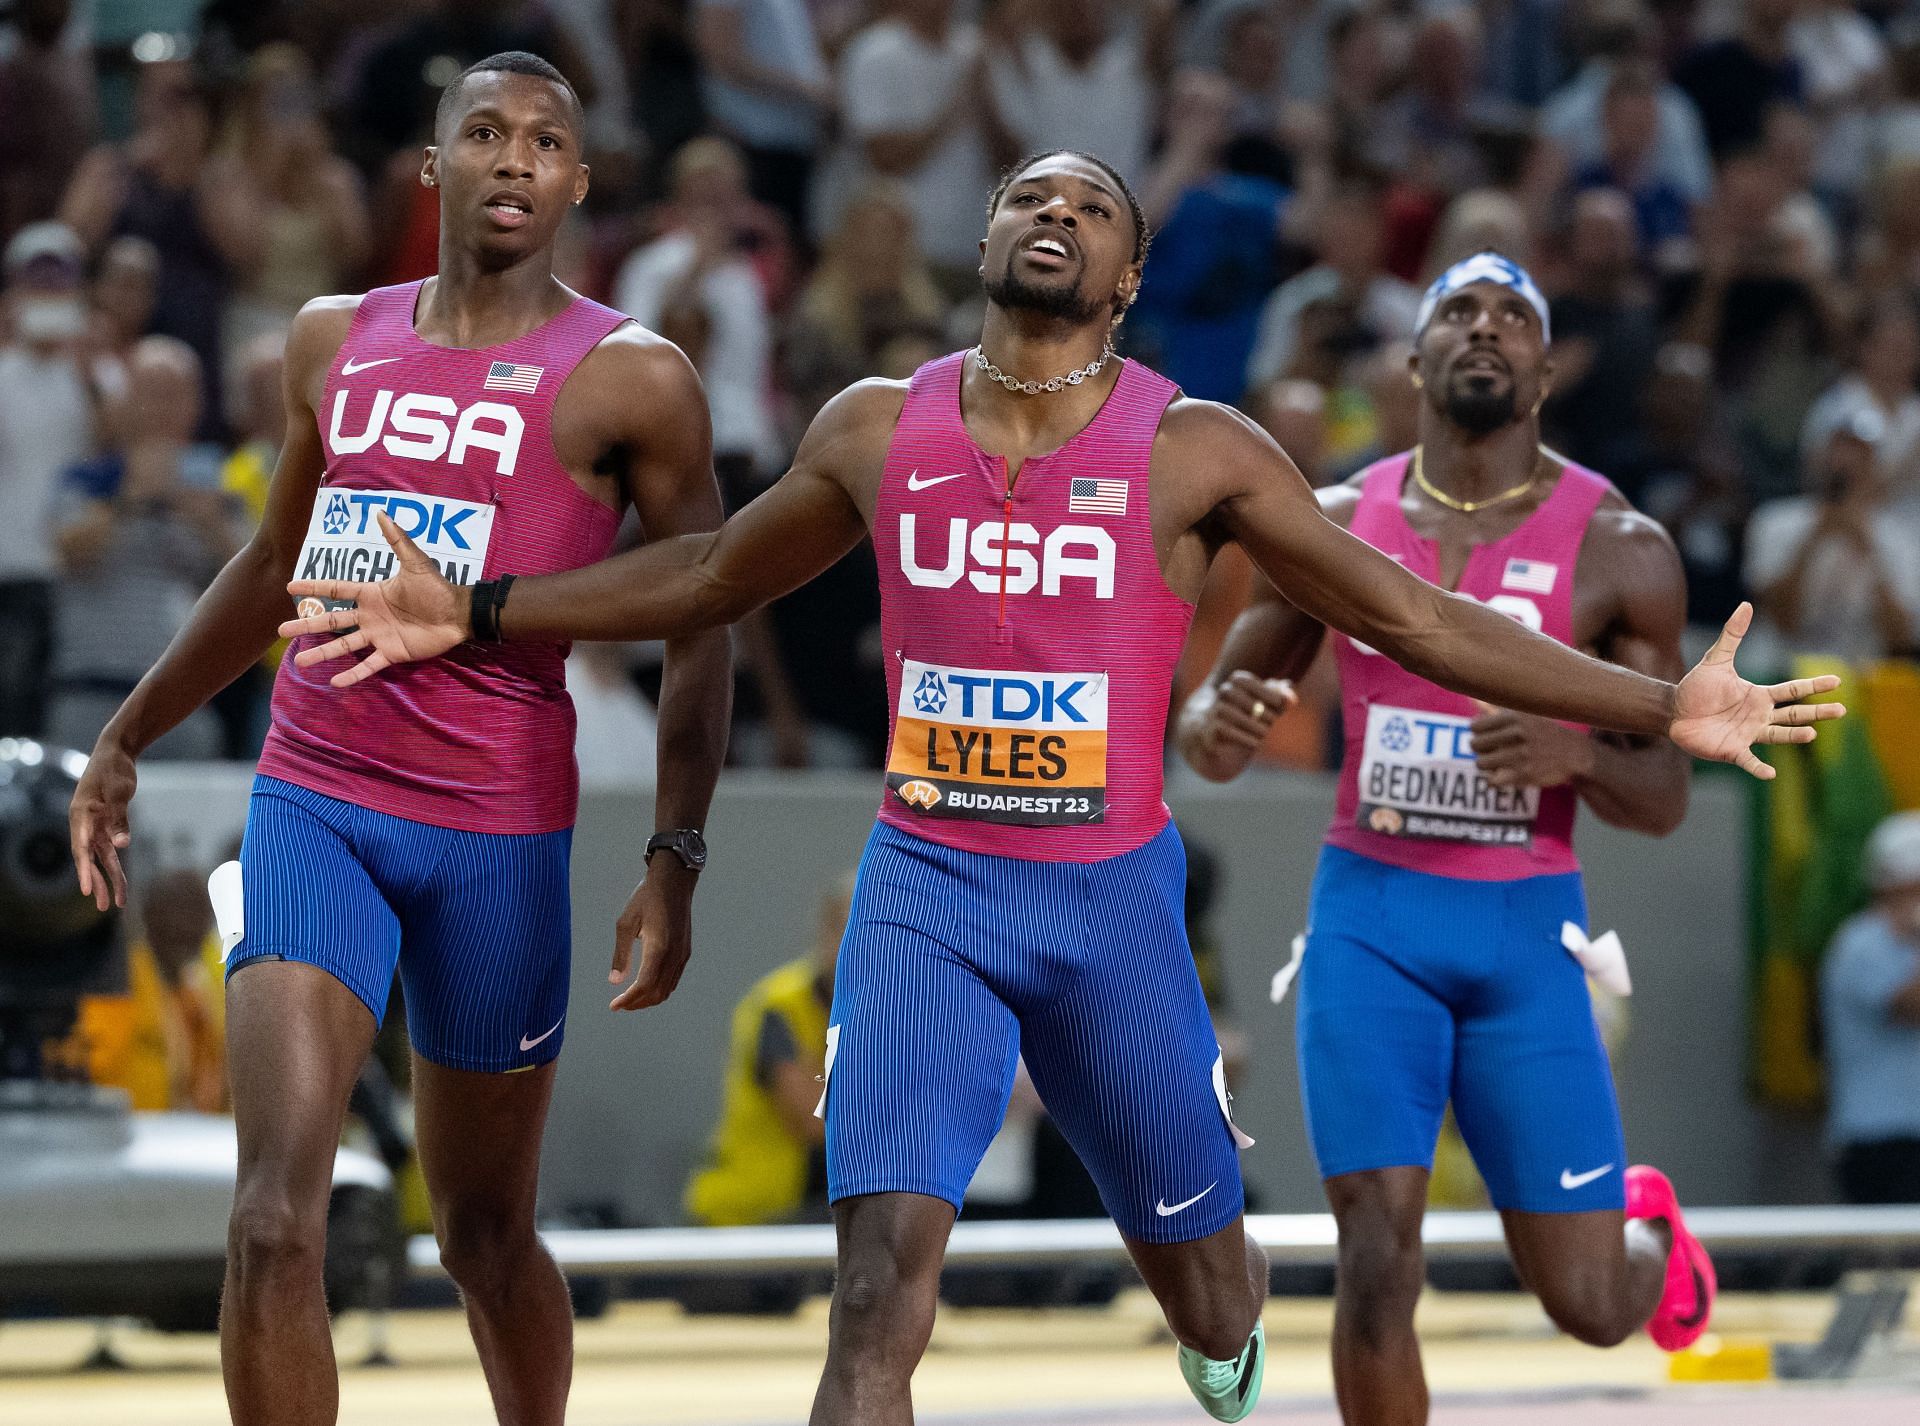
1447	911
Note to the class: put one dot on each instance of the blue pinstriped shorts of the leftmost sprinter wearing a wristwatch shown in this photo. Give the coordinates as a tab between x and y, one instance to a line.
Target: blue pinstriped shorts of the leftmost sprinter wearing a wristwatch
479	924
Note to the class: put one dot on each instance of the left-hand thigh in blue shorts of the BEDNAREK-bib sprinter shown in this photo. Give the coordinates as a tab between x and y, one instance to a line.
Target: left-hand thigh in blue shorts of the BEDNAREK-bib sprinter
1376	1035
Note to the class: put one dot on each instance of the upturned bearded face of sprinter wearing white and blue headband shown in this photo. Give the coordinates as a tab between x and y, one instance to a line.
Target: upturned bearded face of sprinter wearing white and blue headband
1483	358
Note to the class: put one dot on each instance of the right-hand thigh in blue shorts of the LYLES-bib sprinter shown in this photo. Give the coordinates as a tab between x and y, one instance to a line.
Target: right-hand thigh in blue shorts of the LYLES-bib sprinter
1126	1058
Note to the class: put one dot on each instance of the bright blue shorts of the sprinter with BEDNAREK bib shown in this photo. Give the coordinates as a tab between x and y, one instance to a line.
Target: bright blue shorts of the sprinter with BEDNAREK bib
1416	989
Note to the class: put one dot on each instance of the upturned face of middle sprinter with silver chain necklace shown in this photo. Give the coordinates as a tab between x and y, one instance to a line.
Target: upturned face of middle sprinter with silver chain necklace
1061	245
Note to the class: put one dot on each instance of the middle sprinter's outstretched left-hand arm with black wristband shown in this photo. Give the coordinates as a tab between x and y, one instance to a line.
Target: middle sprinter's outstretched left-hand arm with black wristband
660	592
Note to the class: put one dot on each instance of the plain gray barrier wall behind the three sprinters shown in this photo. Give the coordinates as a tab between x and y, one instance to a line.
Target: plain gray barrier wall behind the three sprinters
638	1093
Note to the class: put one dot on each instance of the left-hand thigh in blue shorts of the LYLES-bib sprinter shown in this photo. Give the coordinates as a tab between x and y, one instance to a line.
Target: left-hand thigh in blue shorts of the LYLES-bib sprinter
921	1049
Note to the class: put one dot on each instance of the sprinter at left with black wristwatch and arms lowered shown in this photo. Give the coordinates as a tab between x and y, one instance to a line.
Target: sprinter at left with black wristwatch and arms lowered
506	423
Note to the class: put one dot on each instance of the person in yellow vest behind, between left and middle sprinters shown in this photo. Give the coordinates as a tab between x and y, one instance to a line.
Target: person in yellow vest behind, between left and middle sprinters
767	1160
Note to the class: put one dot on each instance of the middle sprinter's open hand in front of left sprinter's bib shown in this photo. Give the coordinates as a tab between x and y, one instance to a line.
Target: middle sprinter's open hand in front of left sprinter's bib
410	617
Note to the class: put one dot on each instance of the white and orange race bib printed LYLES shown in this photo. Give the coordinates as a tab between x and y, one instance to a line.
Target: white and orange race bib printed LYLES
996	746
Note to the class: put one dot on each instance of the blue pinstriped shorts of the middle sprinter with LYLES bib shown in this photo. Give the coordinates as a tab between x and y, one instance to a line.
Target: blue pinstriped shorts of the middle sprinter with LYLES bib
957	964
